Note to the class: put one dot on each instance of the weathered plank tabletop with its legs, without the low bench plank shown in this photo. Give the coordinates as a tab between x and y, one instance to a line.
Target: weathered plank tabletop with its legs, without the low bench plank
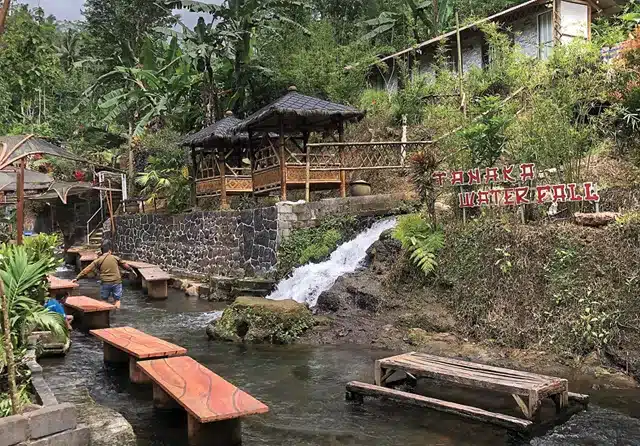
519	384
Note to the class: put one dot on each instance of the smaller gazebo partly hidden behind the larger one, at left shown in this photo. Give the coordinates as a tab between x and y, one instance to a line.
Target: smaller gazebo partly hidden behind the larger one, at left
219	153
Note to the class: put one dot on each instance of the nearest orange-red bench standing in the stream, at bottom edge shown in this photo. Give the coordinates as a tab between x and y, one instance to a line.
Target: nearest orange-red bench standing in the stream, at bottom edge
214	406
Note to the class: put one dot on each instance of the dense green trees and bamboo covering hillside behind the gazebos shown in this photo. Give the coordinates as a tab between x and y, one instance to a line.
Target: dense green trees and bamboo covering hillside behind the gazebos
107	85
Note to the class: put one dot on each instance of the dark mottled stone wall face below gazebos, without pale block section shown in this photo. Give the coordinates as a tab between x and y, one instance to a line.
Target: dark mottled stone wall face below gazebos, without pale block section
226	243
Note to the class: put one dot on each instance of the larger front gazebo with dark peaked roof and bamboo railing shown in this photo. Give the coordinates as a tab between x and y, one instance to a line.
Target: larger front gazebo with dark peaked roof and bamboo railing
285	161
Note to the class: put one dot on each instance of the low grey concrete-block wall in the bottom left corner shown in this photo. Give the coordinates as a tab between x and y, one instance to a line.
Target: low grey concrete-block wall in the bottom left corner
53	424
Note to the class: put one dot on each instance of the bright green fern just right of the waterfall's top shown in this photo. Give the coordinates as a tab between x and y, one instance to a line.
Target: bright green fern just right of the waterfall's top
421	240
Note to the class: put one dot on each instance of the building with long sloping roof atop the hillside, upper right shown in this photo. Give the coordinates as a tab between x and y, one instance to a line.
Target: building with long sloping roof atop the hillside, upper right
536	26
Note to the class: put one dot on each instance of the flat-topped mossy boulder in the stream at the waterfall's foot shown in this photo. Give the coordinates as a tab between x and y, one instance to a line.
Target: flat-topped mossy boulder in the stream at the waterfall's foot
260	320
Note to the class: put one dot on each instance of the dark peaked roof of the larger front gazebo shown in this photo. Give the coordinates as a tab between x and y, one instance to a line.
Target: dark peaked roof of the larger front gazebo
298	112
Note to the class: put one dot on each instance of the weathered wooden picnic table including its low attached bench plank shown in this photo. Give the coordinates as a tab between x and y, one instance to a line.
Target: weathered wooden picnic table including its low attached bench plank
521	385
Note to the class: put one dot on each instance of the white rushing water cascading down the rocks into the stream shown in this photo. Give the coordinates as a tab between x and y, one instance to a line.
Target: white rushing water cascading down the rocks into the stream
309	281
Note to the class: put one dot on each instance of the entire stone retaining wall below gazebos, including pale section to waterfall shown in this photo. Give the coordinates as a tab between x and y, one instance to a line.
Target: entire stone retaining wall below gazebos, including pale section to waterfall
231	244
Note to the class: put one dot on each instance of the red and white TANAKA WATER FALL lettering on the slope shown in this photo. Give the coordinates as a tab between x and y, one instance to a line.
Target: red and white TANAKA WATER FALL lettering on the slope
508	186
